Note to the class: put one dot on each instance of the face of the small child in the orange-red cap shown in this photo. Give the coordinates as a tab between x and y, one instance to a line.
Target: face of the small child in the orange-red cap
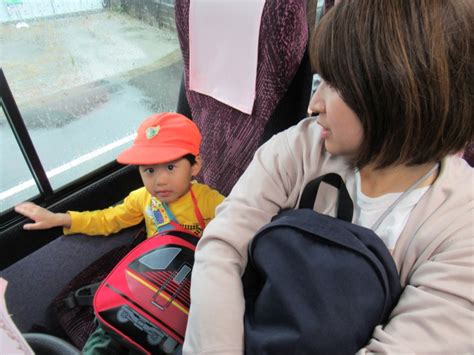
169	181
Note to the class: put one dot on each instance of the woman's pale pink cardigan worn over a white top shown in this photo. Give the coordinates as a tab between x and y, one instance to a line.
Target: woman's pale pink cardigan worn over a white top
434	253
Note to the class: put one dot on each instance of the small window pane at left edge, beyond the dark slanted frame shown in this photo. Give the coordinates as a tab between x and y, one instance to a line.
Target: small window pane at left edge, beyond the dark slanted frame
16	182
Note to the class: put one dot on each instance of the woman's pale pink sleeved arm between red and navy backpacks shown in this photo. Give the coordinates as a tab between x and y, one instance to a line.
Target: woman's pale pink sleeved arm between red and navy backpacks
216	316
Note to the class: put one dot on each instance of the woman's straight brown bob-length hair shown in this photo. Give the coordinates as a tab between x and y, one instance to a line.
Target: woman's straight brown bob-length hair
406	69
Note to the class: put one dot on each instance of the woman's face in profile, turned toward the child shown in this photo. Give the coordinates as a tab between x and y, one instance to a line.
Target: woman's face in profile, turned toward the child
341	128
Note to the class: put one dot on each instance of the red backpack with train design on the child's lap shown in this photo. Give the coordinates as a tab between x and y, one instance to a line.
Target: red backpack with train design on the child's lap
144	301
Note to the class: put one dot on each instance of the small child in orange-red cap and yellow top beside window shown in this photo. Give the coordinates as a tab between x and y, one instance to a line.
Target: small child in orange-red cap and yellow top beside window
166	151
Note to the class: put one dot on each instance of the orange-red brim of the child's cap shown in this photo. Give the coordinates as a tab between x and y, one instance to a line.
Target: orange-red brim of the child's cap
151	155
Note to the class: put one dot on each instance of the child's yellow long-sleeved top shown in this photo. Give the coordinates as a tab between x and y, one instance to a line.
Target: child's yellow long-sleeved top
139	205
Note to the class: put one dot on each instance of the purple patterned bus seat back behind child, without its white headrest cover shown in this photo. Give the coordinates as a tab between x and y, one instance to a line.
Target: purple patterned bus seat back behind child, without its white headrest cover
283	88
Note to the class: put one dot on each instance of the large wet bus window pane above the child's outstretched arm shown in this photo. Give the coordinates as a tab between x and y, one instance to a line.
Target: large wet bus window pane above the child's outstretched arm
84	75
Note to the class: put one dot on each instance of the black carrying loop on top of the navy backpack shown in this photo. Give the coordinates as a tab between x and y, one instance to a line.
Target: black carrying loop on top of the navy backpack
345	206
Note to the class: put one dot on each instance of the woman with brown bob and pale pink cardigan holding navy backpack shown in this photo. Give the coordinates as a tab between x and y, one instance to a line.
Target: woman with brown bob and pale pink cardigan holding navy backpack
395	106
